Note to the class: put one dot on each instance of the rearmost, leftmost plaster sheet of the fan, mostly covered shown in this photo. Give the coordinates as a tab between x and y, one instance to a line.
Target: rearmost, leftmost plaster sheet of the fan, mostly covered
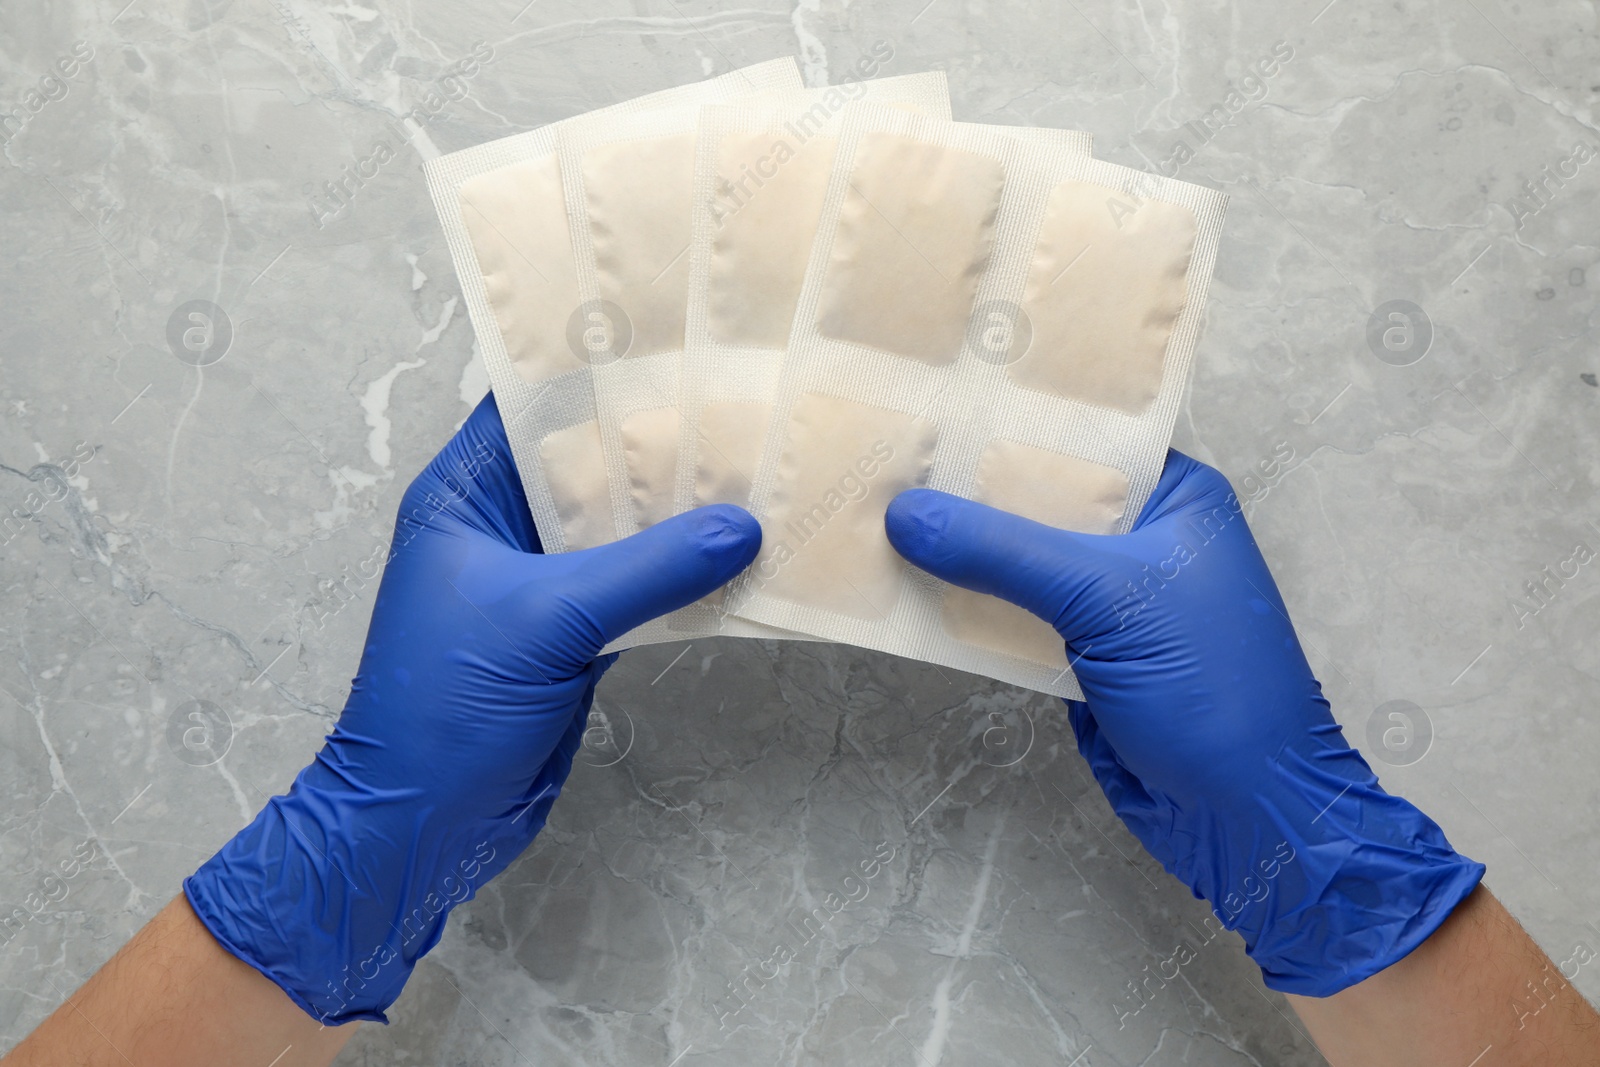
505	218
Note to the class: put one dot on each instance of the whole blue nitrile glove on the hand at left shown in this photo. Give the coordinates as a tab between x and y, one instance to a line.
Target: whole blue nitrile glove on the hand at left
473	697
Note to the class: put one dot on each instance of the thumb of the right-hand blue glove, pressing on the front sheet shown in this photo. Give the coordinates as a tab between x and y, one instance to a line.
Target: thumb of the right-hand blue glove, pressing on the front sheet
1050	572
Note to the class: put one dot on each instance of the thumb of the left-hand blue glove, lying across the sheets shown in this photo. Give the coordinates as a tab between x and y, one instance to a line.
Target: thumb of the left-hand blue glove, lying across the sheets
612	589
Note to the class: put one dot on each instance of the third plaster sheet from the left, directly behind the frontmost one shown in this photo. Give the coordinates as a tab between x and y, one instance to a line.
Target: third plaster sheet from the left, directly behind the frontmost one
761	177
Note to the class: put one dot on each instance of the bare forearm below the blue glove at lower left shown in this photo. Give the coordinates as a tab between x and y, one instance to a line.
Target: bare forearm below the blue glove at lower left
174	997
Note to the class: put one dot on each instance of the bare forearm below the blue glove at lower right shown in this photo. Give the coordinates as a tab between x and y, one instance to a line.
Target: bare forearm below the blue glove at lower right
1479	993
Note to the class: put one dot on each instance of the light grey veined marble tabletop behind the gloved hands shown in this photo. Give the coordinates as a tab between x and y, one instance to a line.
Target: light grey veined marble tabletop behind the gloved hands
1422	478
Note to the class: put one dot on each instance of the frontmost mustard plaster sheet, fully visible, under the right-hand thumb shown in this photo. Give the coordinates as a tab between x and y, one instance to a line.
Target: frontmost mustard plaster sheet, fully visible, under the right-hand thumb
983	314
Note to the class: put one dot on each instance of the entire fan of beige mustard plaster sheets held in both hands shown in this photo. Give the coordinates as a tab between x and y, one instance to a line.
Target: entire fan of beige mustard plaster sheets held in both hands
804	302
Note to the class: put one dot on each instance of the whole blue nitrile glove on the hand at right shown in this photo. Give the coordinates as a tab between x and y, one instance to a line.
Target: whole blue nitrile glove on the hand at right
1206	727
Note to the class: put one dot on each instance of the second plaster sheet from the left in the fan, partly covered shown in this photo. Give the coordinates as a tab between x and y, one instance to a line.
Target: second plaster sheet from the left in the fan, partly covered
630	183
